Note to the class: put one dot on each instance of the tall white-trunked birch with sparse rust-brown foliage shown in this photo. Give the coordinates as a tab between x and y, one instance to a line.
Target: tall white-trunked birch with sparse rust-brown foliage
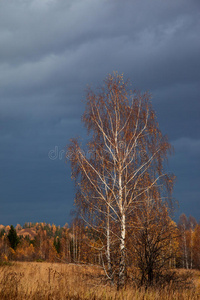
122	161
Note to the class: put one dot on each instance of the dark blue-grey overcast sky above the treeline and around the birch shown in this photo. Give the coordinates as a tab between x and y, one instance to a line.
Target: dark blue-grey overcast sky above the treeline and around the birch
50	50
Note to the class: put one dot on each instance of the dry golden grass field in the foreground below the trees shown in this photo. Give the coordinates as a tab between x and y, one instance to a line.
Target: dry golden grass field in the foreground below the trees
32	280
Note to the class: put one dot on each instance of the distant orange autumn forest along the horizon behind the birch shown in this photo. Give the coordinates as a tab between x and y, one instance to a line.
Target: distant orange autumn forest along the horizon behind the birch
79	244
